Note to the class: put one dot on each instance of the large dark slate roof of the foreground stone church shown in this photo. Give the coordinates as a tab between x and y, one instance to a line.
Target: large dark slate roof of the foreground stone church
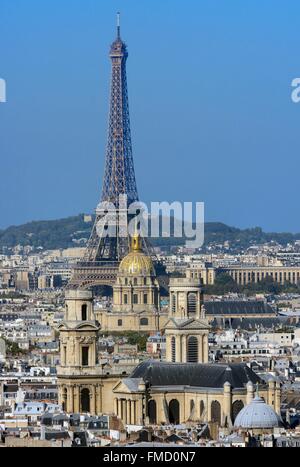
203	375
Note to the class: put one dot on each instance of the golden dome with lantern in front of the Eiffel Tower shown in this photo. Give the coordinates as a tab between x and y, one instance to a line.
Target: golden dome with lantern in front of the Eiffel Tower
136	262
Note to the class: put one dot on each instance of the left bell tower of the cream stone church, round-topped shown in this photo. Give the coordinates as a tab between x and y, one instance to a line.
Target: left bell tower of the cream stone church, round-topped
77	383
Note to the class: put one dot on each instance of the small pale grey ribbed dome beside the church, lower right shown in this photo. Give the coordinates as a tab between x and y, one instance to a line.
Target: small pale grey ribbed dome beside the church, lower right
257	414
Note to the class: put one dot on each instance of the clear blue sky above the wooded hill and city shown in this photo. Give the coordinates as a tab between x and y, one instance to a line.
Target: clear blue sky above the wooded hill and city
209	92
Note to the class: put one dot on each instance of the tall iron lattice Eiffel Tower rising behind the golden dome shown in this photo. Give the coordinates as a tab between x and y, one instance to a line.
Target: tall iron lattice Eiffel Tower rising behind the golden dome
104	252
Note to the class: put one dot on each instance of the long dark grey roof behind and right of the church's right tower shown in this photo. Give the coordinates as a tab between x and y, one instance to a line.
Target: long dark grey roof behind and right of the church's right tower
238	307
